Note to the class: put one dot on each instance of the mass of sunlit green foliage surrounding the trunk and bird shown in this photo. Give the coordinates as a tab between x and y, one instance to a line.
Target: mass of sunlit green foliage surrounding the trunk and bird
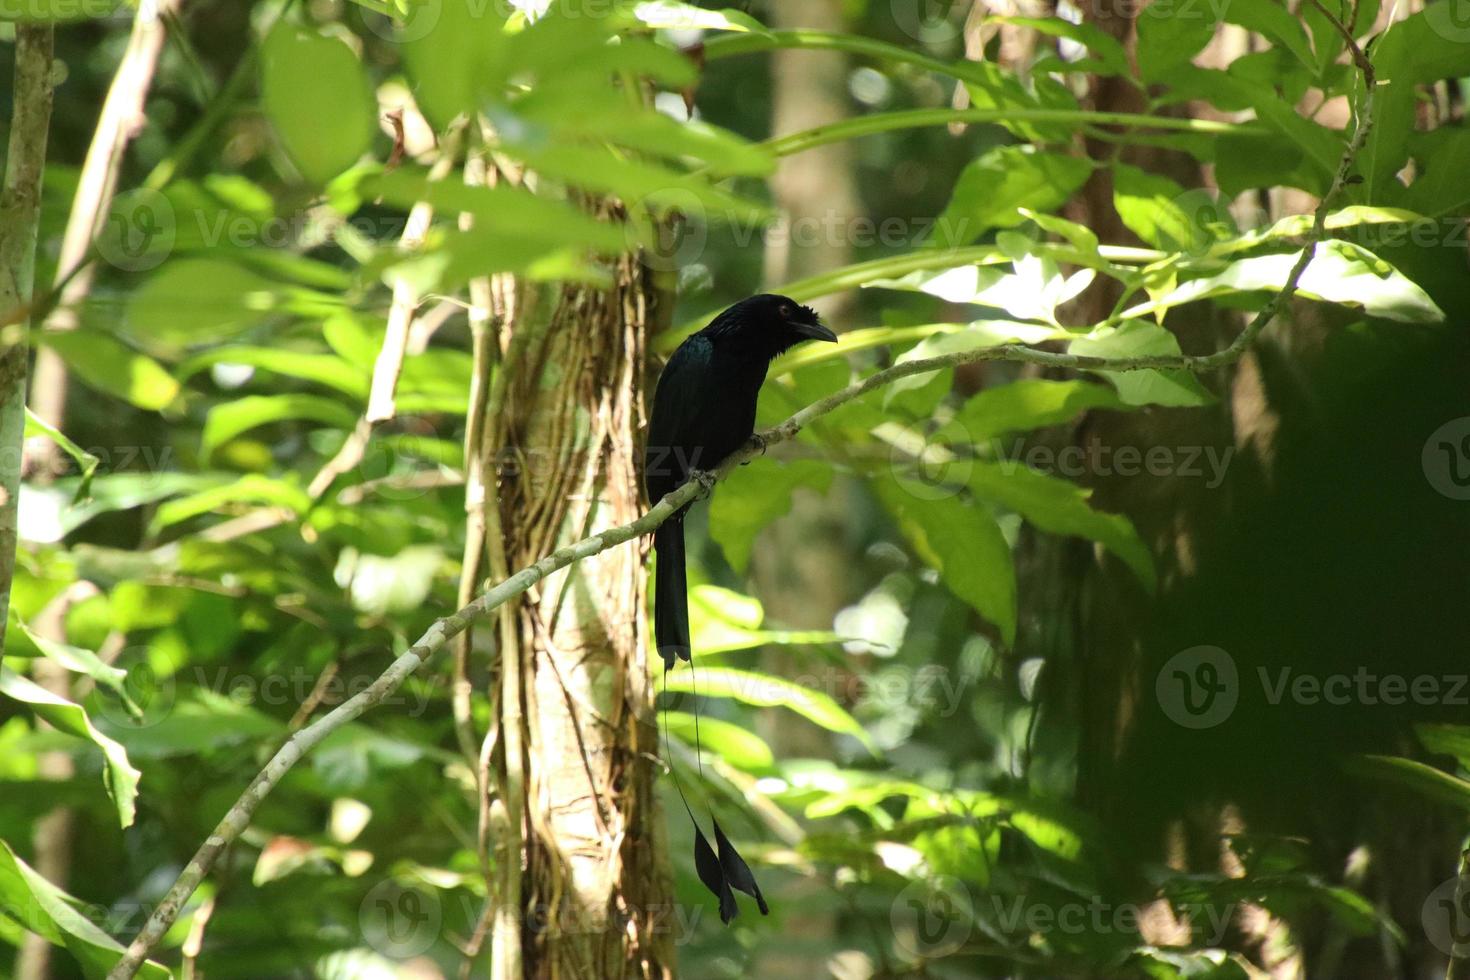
227	353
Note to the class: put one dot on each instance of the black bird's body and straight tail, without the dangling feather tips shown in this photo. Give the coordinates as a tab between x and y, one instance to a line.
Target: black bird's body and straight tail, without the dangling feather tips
703	411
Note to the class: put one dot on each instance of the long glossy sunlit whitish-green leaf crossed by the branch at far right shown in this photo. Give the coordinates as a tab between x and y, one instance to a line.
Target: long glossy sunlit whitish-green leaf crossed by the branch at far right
1340	273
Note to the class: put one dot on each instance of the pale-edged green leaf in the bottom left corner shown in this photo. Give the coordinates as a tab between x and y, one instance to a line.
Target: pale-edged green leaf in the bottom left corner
57	918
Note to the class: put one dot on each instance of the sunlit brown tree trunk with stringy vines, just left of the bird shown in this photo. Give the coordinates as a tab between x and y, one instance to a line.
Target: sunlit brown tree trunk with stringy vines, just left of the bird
595	891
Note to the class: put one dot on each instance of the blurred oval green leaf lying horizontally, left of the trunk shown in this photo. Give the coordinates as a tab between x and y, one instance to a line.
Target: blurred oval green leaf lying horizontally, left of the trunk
198	302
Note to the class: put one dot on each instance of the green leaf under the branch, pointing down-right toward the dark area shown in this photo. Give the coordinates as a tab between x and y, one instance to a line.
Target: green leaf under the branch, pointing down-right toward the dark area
1062	508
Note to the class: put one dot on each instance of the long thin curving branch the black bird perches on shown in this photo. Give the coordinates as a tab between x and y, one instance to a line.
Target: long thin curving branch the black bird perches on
445	630
